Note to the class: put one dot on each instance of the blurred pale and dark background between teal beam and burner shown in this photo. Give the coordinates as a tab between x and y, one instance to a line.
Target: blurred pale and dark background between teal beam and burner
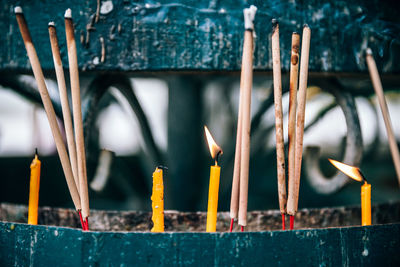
125	180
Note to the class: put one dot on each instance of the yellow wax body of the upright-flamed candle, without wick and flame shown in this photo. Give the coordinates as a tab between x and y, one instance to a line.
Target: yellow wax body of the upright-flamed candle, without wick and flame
213	199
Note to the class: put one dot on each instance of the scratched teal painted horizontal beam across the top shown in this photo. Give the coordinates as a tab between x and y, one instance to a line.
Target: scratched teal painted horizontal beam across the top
203	35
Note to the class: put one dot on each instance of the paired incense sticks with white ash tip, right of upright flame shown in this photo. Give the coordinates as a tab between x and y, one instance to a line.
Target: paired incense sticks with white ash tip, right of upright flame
240	179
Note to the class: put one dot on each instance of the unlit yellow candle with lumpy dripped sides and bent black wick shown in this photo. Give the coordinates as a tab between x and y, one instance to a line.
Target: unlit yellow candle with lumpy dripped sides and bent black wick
157	199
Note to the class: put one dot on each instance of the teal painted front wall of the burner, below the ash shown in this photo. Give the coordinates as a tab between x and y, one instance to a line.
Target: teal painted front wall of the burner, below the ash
23	245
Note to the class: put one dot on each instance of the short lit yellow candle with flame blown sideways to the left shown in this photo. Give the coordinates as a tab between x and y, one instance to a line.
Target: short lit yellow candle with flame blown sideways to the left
355	173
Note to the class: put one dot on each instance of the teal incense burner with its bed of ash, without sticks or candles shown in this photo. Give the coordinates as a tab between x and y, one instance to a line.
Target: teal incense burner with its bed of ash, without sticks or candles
332	237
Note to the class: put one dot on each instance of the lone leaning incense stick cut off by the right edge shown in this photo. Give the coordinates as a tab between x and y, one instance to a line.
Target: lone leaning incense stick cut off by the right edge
377	84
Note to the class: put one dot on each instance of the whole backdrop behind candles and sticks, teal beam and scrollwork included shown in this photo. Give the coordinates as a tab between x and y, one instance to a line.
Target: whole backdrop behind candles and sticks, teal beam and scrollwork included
153	73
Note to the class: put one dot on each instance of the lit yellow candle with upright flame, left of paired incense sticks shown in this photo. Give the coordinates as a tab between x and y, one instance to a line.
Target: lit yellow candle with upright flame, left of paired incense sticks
215	171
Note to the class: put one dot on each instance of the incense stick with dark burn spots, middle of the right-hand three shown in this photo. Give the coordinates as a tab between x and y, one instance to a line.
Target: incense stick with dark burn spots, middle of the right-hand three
294	75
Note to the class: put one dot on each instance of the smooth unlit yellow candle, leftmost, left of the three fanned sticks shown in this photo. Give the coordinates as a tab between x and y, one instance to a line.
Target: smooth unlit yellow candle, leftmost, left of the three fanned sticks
34	191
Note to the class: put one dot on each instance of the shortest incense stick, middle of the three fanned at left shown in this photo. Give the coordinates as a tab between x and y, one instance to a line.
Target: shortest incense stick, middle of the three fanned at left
64	100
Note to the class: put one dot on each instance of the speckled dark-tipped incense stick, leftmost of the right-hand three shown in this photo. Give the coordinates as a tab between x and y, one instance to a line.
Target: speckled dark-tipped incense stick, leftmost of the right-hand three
280	145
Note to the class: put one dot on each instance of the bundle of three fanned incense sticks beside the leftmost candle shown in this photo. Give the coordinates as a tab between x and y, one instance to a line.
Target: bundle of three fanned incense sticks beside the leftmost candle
74	164
